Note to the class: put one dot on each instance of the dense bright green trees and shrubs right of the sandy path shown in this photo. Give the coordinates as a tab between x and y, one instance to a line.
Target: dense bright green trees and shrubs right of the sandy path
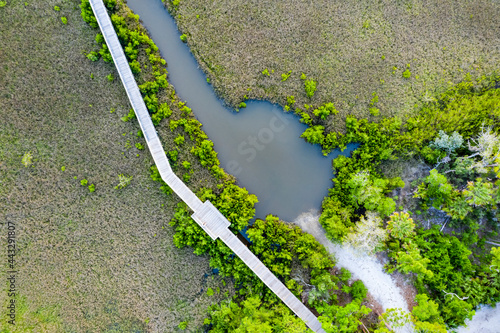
457	136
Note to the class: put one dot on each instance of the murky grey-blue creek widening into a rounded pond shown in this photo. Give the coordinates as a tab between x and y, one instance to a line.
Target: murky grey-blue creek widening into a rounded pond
260	145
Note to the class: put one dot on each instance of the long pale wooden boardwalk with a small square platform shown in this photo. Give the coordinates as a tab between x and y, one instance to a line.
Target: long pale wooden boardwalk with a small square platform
205	214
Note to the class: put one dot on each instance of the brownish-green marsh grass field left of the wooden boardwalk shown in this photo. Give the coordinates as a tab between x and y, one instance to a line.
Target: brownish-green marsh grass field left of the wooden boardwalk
87	262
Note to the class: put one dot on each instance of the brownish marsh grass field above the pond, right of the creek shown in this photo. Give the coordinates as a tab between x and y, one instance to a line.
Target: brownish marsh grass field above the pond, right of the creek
351	48
